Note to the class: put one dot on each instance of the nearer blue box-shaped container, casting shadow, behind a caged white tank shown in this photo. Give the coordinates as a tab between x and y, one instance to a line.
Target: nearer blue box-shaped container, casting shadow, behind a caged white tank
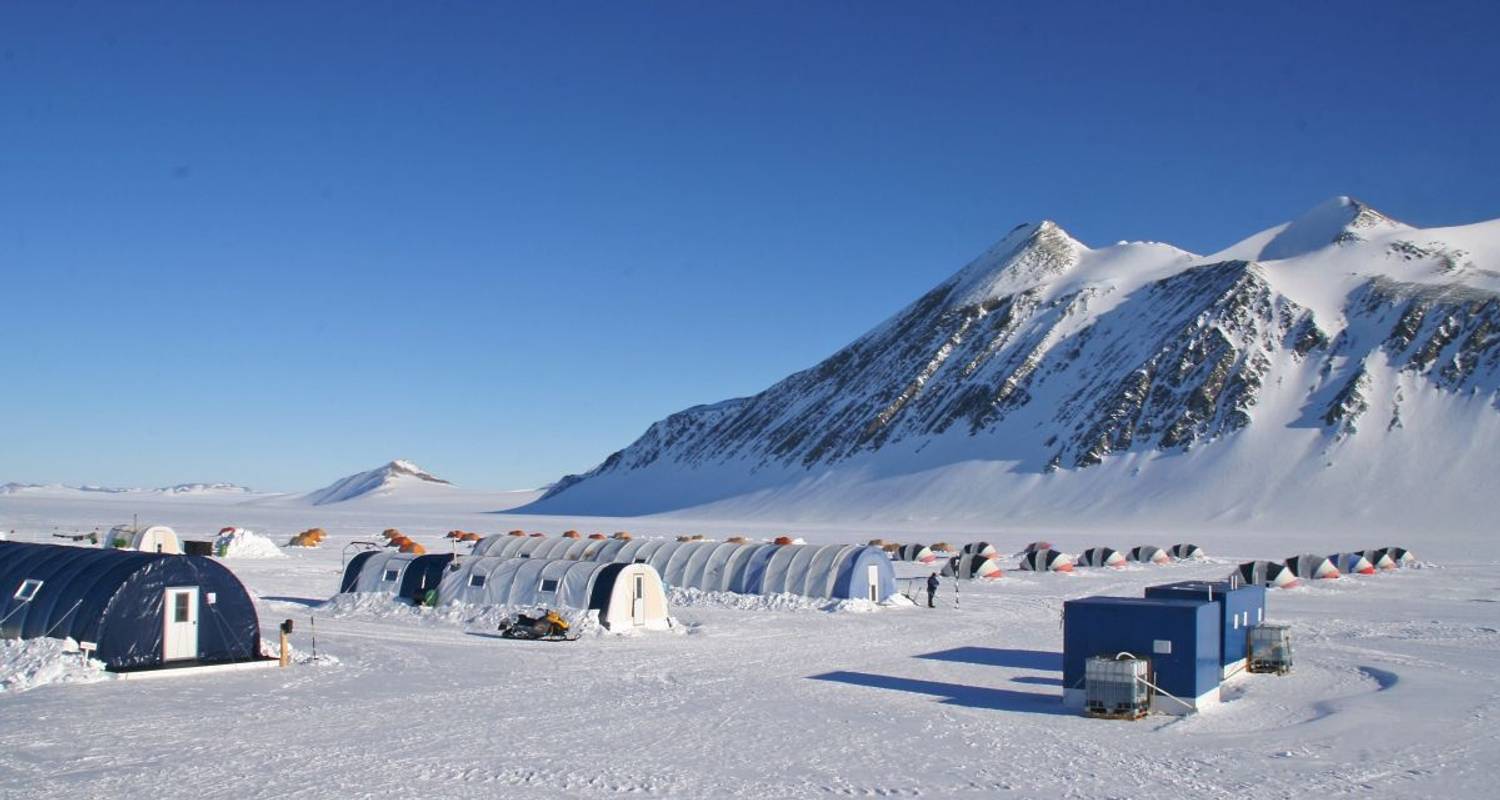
1180	637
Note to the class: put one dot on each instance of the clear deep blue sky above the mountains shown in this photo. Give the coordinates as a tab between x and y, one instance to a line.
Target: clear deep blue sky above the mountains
281	242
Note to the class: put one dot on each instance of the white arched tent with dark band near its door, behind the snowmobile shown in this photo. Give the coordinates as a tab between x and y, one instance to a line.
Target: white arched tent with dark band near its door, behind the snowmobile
625	595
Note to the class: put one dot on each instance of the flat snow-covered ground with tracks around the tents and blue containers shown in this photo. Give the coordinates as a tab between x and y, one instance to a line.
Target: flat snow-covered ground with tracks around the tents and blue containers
1394	694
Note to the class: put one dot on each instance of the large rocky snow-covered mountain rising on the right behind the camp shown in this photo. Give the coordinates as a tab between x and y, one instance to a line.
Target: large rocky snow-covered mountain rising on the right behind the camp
1340	367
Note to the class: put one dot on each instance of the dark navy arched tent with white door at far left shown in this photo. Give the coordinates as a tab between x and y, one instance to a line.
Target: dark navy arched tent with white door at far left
139	609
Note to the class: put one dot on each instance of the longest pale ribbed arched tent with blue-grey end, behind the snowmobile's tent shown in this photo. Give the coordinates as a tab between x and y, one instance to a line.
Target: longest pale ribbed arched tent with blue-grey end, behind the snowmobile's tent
814	571
